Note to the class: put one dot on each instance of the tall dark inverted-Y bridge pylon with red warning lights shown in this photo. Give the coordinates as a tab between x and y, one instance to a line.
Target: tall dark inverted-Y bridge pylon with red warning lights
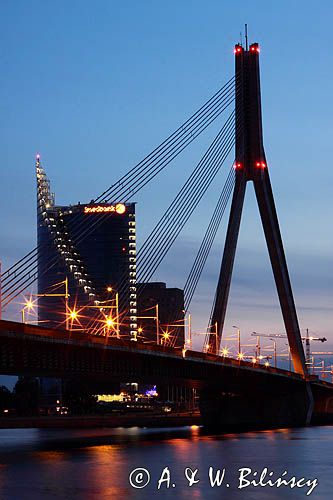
251	165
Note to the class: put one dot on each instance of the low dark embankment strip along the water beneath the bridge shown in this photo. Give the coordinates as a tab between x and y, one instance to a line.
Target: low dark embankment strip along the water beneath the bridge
91	421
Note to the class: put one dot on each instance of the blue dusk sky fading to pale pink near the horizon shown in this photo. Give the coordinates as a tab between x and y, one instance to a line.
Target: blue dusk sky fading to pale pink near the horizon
95	86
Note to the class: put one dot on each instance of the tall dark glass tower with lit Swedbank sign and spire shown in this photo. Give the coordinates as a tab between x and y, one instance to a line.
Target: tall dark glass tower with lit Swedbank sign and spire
86	264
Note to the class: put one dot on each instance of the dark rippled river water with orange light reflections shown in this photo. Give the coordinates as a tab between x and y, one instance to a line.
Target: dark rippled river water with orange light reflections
99	464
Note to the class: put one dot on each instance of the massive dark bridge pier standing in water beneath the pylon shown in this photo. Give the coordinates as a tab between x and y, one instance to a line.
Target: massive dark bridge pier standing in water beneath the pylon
240	405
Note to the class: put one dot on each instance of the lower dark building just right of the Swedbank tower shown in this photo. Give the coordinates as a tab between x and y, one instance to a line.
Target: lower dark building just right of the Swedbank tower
155	300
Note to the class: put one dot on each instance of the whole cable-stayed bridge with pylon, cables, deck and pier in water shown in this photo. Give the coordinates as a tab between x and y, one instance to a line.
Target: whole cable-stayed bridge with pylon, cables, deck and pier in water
231	391
